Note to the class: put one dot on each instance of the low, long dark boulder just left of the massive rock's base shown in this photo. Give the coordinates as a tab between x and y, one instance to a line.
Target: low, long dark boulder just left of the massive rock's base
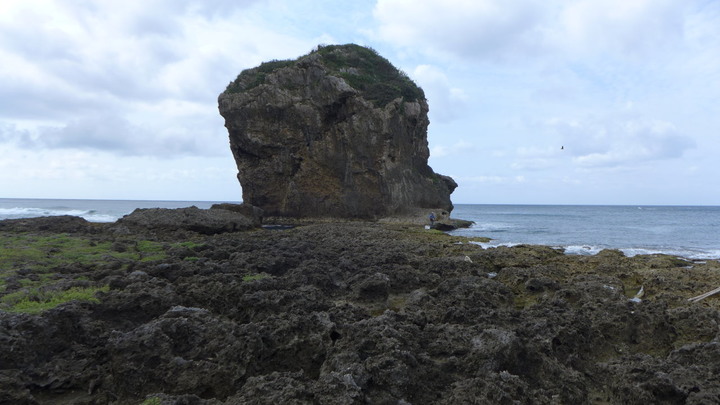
209	222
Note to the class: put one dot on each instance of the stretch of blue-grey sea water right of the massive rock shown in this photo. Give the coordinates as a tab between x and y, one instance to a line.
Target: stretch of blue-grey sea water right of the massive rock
687	231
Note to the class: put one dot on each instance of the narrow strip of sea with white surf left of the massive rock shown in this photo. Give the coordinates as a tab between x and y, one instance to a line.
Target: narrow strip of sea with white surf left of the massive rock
91	210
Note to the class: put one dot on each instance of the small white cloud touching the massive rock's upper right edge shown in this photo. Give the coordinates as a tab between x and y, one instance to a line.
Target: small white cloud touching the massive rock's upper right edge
446	102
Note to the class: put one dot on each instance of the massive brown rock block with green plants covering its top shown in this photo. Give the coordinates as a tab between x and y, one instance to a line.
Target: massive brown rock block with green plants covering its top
336	133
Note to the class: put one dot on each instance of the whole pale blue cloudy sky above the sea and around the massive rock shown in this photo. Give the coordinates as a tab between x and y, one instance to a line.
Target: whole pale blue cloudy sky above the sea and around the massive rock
531	101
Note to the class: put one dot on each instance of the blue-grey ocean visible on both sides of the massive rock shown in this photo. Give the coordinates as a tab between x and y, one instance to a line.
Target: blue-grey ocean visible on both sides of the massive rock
692	232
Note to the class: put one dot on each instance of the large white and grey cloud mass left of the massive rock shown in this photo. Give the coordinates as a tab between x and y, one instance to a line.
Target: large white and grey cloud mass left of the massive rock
137	78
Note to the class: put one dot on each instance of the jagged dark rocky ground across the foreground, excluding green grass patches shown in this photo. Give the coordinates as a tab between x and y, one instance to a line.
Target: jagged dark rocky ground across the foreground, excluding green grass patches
356	313
